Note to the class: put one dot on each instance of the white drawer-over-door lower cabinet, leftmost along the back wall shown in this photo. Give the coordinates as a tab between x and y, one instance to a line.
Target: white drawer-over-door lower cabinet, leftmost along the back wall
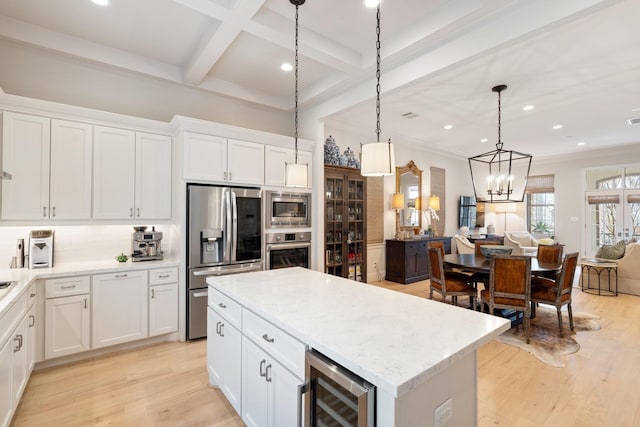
67	316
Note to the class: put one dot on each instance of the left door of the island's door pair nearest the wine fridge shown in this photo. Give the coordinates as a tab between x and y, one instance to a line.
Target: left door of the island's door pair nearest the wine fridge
255	406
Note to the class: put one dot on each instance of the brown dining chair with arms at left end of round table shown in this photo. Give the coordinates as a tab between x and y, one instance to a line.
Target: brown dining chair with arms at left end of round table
448	283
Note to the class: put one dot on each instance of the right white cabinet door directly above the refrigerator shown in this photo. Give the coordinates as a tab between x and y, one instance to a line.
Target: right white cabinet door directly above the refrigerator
245	162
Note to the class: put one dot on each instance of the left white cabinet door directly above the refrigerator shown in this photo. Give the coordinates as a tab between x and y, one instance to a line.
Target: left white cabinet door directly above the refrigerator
204	157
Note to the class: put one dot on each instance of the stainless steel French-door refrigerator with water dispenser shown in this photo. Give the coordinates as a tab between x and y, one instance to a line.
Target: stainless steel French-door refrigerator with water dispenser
224	236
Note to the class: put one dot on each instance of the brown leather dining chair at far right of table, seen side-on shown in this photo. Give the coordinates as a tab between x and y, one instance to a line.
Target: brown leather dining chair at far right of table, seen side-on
556	291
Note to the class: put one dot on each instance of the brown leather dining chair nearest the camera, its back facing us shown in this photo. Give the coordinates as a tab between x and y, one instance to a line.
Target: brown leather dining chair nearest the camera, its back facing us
509	286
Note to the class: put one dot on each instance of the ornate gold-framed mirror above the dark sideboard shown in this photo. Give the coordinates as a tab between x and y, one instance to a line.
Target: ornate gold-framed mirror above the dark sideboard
409	183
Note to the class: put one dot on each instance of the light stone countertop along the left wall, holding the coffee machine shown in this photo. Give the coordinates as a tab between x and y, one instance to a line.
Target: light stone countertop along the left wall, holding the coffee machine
24	276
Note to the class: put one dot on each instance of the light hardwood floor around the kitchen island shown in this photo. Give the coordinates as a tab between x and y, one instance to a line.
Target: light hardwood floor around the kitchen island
166	384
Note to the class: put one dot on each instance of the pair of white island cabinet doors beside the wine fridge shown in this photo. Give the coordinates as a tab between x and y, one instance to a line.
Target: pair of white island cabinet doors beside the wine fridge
269	390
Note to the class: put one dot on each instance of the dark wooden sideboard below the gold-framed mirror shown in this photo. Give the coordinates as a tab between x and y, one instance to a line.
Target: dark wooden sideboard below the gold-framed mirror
407	261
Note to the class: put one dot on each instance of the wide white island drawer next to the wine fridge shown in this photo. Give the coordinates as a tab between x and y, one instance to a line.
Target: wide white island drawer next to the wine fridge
282	346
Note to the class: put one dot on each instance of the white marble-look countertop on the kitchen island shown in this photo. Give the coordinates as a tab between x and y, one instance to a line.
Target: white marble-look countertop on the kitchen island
394	340
